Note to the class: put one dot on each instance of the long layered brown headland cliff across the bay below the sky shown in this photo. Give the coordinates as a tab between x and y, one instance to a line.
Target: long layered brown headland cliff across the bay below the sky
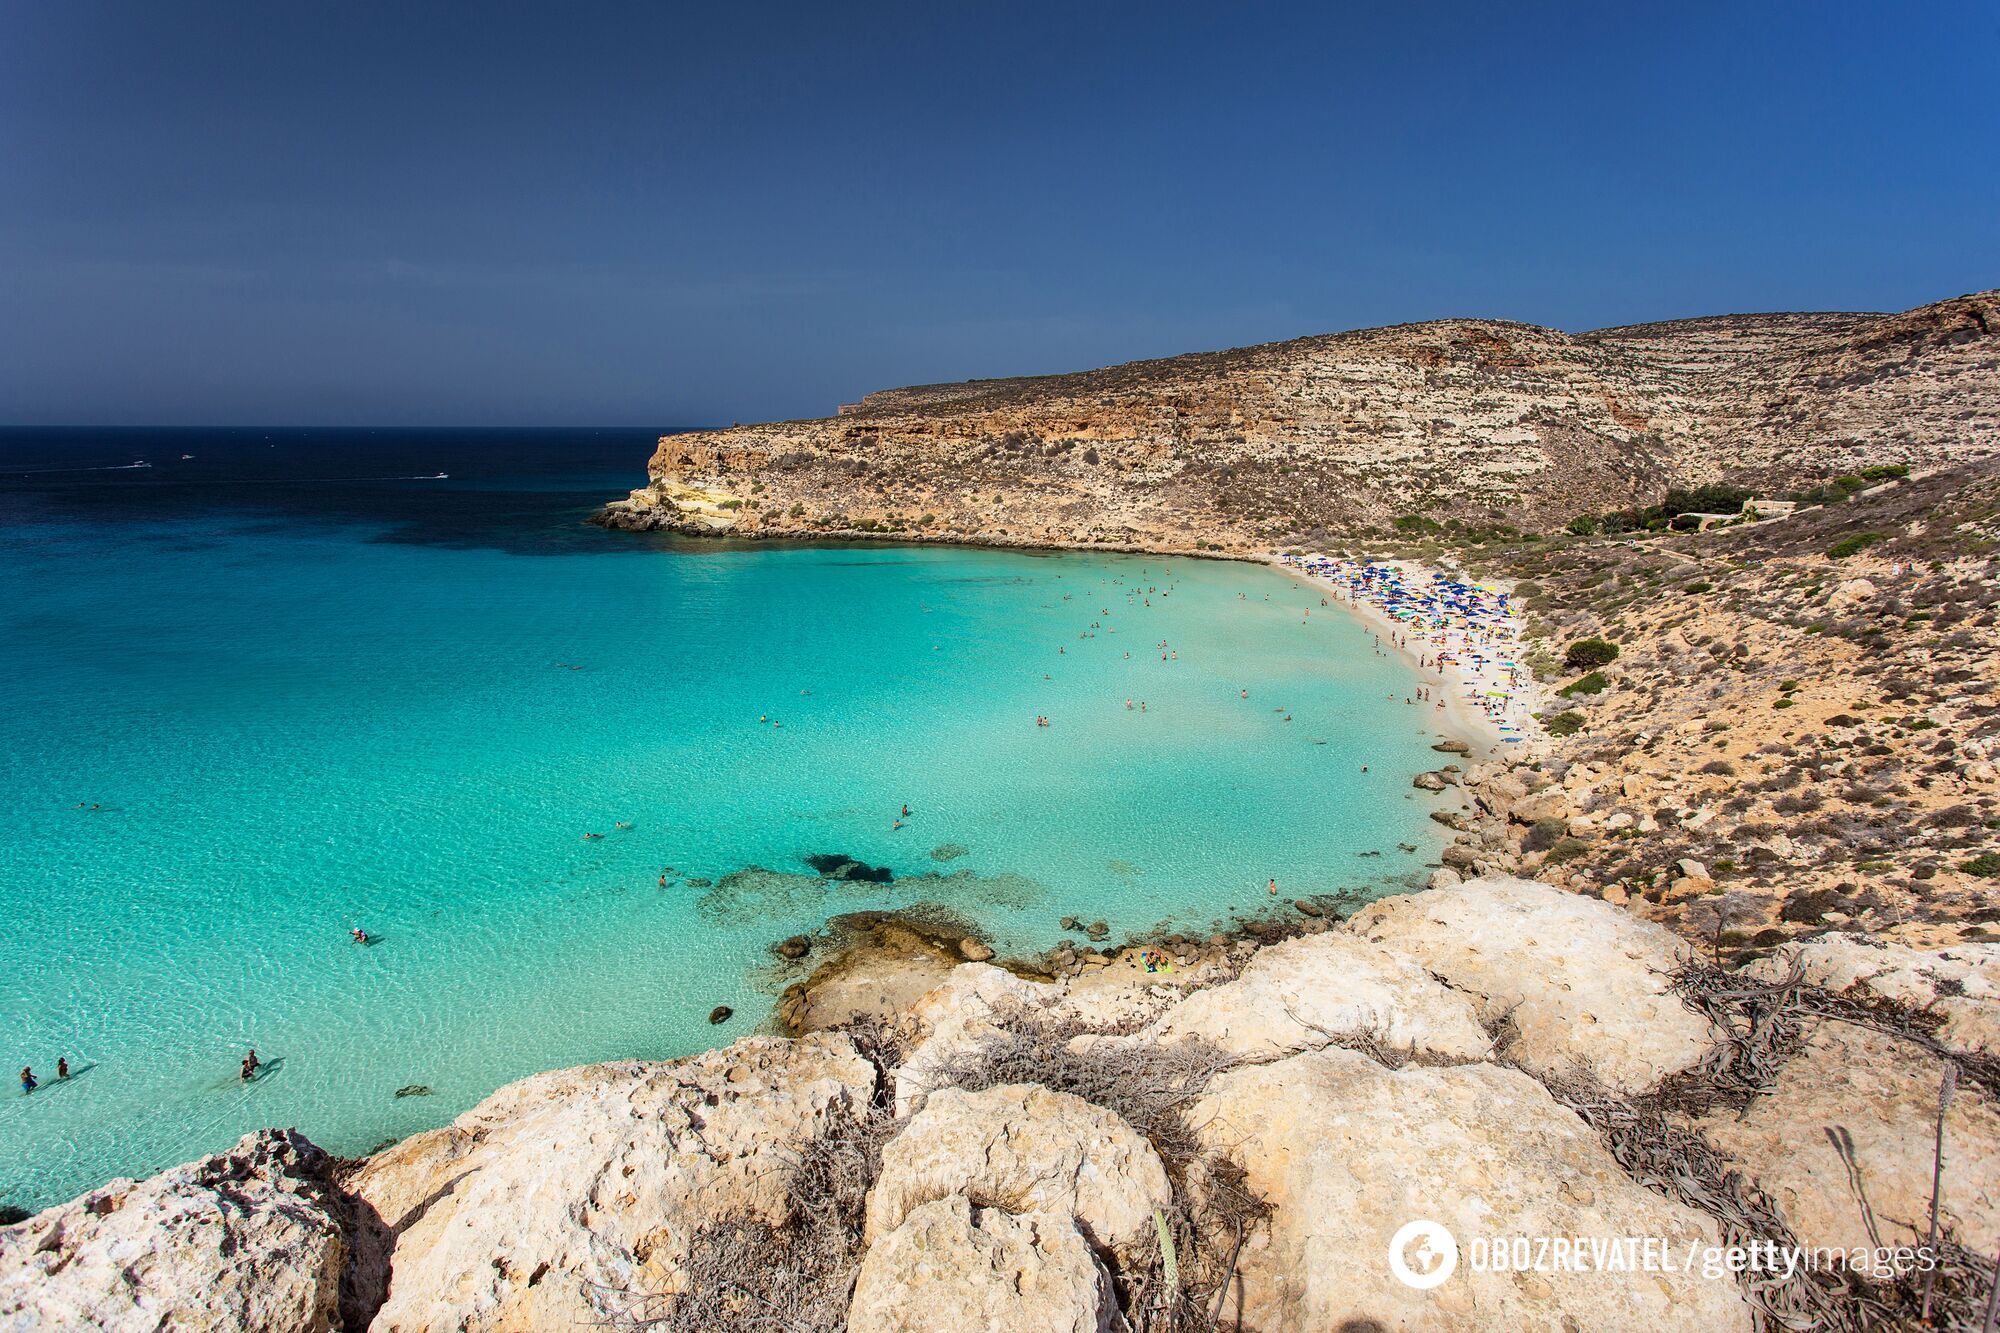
1339	435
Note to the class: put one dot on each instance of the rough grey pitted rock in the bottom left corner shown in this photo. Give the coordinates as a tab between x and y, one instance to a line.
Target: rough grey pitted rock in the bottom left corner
243	1242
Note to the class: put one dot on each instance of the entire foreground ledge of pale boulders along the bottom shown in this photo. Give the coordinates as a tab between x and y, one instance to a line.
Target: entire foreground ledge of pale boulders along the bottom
1231	1144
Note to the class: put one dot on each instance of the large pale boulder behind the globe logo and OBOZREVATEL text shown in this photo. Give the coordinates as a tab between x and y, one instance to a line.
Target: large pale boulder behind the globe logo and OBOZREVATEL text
1349	1152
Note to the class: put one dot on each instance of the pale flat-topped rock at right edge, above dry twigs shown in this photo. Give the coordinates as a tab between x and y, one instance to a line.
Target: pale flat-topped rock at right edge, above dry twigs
1959	986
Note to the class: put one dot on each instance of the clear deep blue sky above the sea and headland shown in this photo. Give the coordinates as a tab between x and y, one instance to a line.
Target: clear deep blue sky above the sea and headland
685	215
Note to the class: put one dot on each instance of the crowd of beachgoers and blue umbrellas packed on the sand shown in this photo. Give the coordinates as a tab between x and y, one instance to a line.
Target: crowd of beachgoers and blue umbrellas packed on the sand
1467	633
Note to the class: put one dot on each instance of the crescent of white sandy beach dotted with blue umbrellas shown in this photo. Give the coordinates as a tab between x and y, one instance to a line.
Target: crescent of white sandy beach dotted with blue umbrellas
1487	690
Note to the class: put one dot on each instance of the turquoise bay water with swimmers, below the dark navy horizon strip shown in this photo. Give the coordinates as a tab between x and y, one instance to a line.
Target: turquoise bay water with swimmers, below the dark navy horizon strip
299	722
